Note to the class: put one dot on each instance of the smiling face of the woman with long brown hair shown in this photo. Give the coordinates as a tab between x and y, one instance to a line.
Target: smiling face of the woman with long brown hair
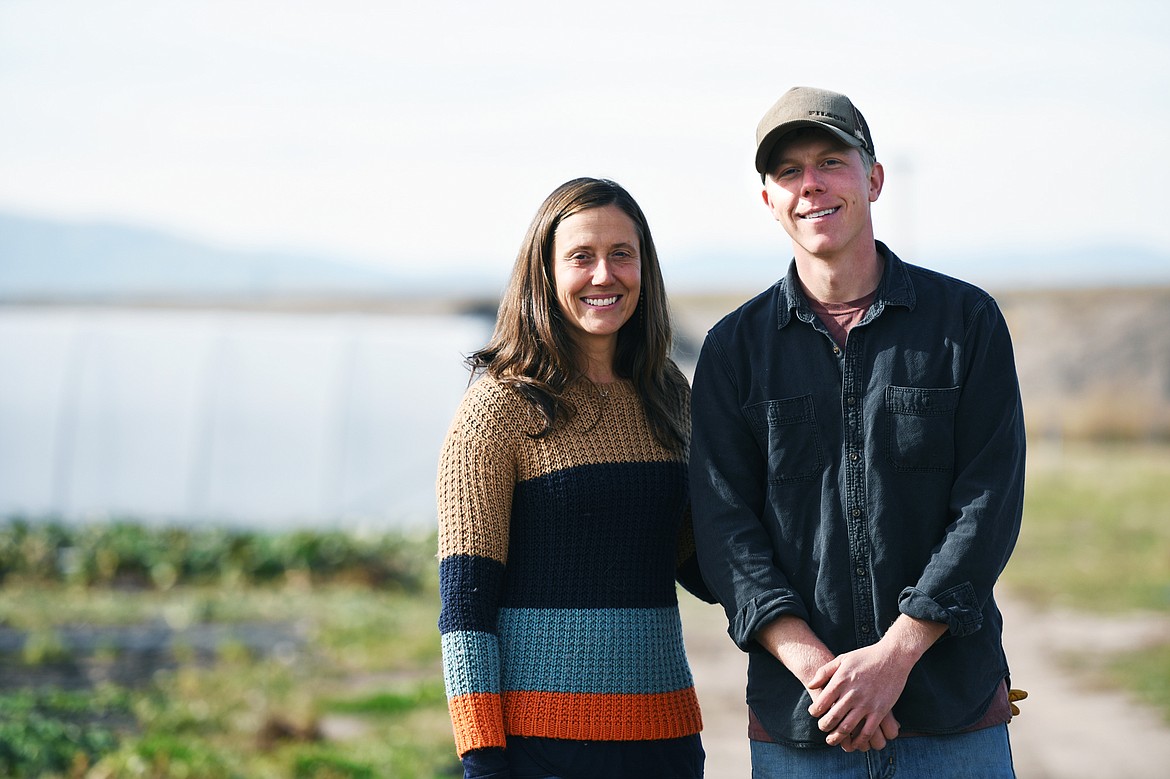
598	273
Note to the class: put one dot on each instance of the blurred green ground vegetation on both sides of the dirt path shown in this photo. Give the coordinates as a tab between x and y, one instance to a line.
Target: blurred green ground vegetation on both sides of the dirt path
135	652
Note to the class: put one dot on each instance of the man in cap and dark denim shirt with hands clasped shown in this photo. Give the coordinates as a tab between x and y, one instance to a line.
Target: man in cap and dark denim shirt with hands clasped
857	478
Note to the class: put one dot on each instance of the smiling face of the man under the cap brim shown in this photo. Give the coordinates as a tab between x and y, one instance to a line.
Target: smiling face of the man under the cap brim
820	191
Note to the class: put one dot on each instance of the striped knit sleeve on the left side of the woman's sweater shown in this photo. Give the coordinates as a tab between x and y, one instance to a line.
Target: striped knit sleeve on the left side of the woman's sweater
474	490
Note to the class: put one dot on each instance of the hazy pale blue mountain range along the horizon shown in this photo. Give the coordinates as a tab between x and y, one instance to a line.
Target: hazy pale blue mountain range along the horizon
42	259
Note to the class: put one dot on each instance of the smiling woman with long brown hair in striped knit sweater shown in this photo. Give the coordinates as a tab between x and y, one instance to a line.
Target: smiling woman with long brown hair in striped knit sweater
563	513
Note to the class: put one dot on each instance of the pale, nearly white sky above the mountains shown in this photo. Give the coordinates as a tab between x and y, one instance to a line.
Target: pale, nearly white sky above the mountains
423	136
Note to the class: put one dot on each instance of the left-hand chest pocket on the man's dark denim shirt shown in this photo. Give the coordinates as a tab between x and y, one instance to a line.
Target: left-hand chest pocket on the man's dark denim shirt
787	431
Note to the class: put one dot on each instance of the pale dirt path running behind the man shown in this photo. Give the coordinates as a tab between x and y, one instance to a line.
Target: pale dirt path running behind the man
1066	730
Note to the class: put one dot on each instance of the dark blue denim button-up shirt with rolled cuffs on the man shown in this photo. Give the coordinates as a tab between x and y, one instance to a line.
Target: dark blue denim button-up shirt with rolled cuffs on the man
849	486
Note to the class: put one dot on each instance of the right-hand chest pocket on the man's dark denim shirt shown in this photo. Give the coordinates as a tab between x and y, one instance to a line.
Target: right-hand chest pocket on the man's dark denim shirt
921	429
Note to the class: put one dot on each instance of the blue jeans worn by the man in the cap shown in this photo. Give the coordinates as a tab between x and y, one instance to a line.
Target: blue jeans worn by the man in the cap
980	755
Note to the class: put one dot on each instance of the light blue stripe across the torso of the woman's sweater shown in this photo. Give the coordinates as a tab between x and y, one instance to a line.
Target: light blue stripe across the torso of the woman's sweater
616	651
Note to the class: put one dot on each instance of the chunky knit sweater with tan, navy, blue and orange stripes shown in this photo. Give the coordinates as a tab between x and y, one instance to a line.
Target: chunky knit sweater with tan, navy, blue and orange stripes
558	566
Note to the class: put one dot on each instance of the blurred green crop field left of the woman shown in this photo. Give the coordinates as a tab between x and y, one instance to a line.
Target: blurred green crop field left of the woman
266	670
